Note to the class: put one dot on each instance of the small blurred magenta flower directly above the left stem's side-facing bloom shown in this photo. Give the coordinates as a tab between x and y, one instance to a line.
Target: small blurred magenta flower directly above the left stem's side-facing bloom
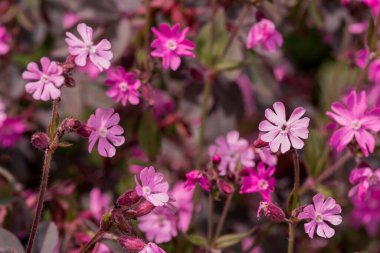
123	86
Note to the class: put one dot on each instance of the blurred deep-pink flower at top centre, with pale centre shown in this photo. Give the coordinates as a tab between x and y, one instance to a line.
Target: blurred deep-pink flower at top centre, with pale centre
171	44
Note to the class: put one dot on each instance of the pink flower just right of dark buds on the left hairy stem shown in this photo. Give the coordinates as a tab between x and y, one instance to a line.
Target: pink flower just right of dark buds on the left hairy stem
106	130
